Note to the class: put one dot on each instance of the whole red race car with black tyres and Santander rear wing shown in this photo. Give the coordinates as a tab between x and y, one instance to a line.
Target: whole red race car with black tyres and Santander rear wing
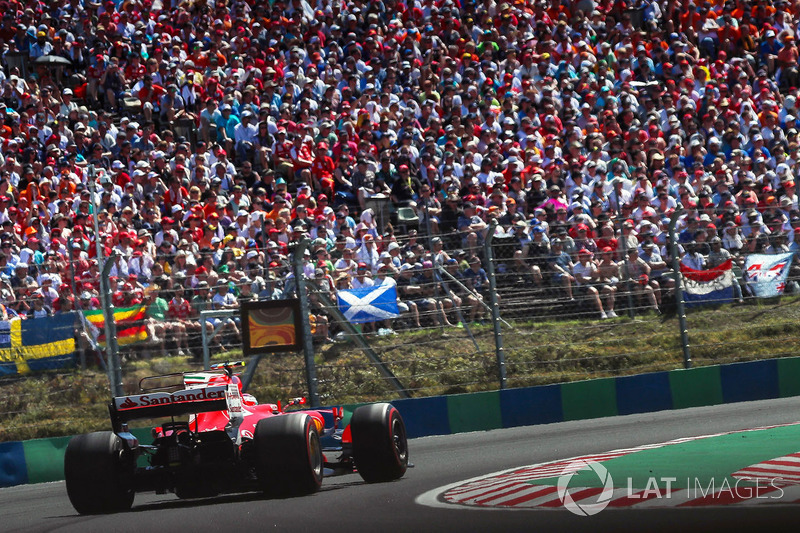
229	443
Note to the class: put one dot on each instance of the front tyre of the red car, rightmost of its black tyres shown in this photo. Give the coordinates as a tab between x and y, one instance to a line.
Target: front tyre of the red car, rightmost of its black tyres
380	446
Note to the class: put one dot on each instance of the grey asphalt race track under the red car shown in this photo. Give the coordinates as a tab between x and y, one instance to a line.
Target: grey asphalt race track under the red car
348	504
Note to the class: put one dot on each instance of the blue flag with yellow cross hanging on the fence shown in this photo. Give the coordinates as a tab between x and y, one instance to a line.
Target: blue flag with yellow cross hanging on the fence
37	344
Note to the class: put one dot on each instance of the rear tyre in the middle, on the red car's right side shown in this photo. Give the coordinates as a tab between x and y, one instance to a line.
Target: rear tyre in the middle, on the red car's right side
289	455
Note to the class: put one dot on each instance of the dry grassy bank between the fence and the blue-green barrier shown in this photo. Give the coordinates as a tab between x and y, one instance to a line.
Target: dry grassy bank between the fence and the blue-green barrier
432	362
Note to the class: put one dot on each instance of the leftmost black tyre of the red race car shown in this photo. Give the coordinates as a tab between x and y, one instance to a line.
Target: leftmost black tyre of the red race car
99	473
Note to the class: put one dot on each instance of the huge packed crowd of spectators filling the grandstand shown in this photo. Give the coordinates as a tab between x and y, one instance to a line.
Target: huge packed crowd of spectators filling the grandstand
222	131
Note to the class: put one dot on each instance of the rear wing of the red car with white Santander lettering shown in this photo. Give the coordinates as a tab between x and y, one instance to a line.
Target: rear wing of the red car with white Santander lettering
164	404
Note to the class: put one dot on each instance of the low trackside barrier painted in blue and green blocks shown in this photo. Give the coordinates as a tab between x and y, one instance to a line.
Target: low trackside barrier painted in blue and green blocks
41	460
